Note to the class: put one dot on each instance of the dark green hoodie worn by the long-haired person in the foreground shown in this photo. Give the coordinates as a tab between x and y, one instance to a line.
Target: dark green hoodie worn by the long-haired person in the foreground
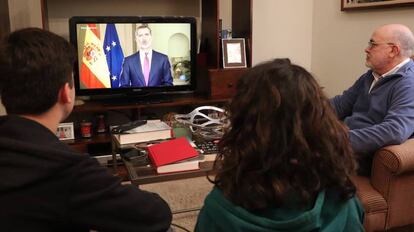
329	214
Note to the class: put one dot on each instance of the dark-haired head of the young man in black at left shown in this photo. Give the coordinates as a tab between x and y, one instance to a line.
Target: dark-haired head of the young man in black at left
36	69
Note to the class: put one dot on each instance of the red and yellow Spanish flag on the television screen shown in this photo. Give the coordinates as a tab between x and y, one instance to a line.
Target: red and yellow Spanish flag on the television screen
94	69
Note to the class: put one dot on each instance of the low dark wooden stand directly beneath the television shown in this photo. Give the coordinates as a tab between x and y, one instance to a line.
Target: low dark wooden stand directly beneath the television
99	142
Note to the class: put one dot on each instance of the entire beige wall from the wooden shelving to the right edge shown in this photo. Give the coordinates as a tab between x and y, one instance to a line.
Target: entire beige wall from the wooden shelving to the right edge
316	34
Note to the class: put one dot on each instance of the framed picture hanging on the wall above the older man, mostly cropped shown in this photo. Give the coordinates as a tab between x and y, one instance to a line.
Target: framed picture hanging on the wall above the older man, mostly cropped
365	4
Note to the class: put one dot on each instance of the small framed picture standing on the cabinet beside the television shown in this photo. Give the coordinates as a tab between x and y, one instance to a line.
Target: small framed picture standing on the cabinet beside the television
234	53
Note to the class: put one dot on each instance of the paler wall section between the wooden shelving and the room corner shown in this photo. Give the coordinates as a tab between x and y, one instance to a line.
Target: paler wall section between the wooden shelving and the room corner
283	29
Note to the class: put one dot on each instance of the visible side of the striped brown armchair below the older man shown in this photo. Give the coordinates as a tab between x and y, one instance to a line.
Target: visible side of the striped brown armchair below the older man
393	177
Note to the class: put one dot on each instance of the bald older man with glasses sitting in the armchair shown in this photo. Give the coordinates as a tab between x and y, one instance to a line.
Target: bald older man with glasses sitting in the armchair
379	107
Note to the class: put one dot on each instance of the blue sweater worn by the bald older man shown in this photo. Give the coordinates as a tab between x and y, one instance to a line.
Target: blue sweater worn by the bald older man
382	117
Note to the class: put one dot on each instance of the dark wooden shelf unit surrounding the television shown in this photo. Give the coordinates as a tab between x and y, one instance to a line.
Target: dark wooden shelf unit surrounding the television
216	84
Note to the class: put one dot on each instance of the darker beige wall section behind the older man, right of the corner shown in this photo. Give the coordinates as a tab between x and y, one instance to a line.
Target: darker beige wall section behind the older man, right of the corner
339	39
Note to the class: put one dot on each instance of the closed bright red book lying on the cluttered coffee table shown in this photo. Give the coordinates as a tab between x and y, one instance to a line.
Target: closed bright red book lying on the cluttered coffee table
171	151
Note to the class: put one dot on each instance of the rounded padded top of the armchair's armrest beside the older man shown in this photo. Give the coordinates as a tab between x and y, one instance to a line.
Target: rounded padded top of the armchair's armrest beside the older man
397	158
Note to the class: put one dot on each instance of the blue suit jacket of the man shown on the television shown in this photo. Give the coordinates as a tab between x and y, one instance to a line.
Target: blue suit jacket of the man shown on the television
160	73
